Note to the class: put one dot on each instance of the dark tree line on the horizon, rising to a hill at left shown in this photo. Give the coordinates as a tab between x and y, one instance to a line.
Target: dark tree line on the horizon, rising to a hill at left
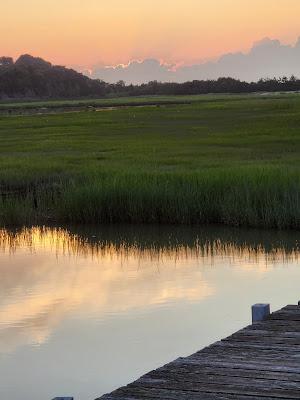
33	78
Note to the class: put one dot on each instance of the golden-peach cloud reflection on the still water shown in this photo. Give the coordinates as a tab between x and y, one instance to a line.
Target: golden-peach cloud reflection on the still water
55	276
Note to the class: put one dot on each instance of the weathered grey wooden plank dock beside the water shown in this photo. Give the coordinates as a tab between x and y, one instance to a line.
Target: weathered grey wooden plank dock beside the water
261	361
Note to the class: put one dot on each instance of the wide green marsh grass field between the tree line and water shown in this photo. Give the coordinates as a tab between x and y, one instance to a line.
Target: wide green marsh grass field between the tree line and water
222	161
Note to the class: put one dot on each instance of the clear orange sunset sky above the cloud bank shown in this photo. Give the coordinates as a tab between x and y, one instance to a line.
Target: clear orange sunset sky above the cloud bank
76	32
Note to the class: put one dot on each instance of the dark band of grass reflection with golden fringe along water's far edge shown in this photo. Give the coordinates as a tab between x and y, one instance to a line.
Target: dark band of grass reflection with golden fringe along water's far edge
159	243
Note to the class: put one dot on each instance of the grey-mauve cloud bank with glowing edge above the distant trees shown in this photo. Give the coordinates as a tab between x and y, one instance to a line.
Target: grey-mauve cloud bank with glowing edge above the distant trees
267	59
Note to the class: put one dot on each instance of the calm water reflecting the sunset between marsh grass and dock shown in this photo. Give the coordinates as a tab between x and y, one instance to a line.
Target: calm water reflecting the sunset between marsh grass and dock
85	311
